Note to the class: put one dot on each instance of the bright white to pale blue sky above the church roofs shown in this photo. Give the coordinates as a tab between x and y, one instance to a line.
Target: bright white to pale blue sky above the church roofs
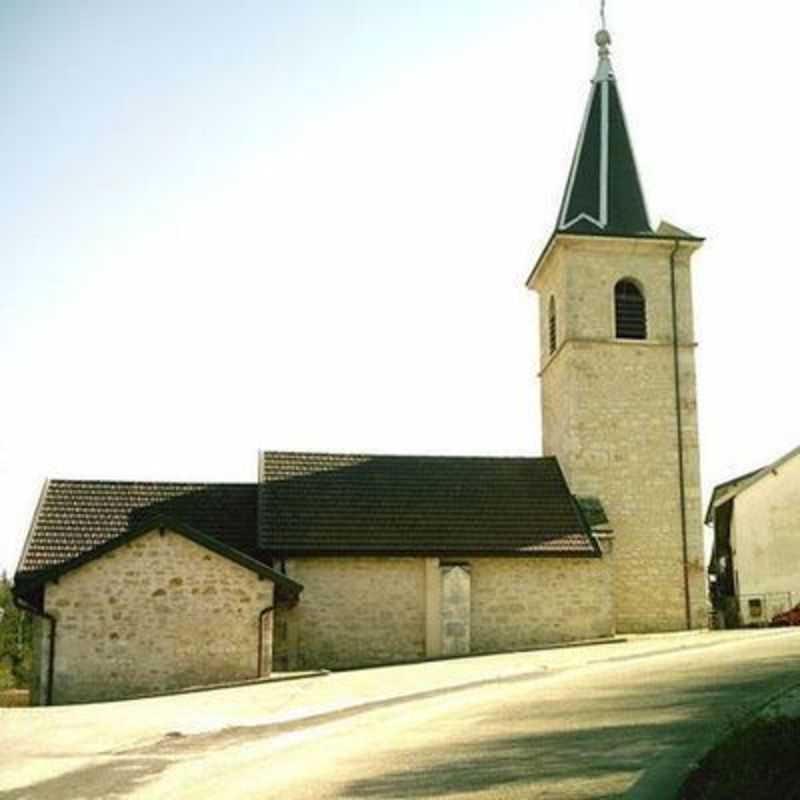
307	225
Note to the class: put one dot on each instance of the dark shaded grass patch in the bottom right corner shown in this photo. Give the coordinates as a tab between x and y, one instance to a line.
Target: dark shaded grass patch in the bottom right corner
759	760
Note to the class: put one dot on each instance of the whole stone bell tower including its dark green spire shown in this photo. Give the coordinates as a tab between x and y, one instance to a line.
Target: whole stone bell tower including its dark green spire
617	369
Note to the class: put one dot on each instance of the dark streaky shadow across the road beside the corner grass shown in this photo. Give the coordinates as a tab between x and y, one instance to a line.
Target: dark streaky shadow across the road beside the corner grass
605	739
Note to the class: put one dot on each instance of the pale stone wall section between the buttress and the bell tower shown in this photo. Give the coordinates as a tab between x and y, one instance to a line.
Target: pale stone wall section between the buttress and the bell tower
519	603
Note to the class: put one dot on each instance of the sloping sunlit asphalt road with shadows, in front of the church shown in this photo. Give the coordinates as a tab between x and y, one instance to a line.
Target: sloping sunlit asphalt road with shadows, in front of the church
630	727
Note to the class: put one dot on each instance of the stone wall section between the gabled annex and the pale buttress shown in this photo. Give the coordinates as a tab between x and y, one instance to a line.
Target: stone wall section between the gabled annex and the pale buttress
353	612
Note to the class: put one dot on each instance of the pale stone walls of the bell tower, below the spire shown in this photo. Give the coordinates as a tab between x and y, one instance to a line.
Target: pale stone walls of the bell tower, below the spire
609	415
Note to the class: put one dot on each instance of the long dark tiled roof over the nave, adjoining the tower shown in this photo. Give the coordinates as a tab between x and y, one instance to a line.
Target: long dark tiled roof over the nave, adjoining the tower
337	504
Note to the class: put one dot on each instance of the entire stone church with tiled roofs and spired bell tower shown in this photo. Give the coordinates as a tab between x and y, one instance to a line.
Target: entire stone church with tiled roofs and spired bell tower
339	561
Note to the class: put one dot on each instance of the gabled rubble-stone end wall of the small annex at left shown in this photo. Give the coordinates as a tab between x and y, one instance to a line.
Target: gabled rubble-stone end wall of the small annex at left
156	614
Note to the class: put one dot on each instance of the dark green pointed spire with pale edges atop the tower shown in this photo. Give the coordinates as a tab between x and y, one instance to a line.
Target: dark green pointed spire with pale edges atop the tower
603	193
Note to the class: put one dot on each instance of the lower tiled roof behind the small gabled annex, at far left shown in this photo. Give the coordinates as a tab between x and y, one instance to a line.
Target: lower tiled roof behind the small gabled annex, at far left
76	517
